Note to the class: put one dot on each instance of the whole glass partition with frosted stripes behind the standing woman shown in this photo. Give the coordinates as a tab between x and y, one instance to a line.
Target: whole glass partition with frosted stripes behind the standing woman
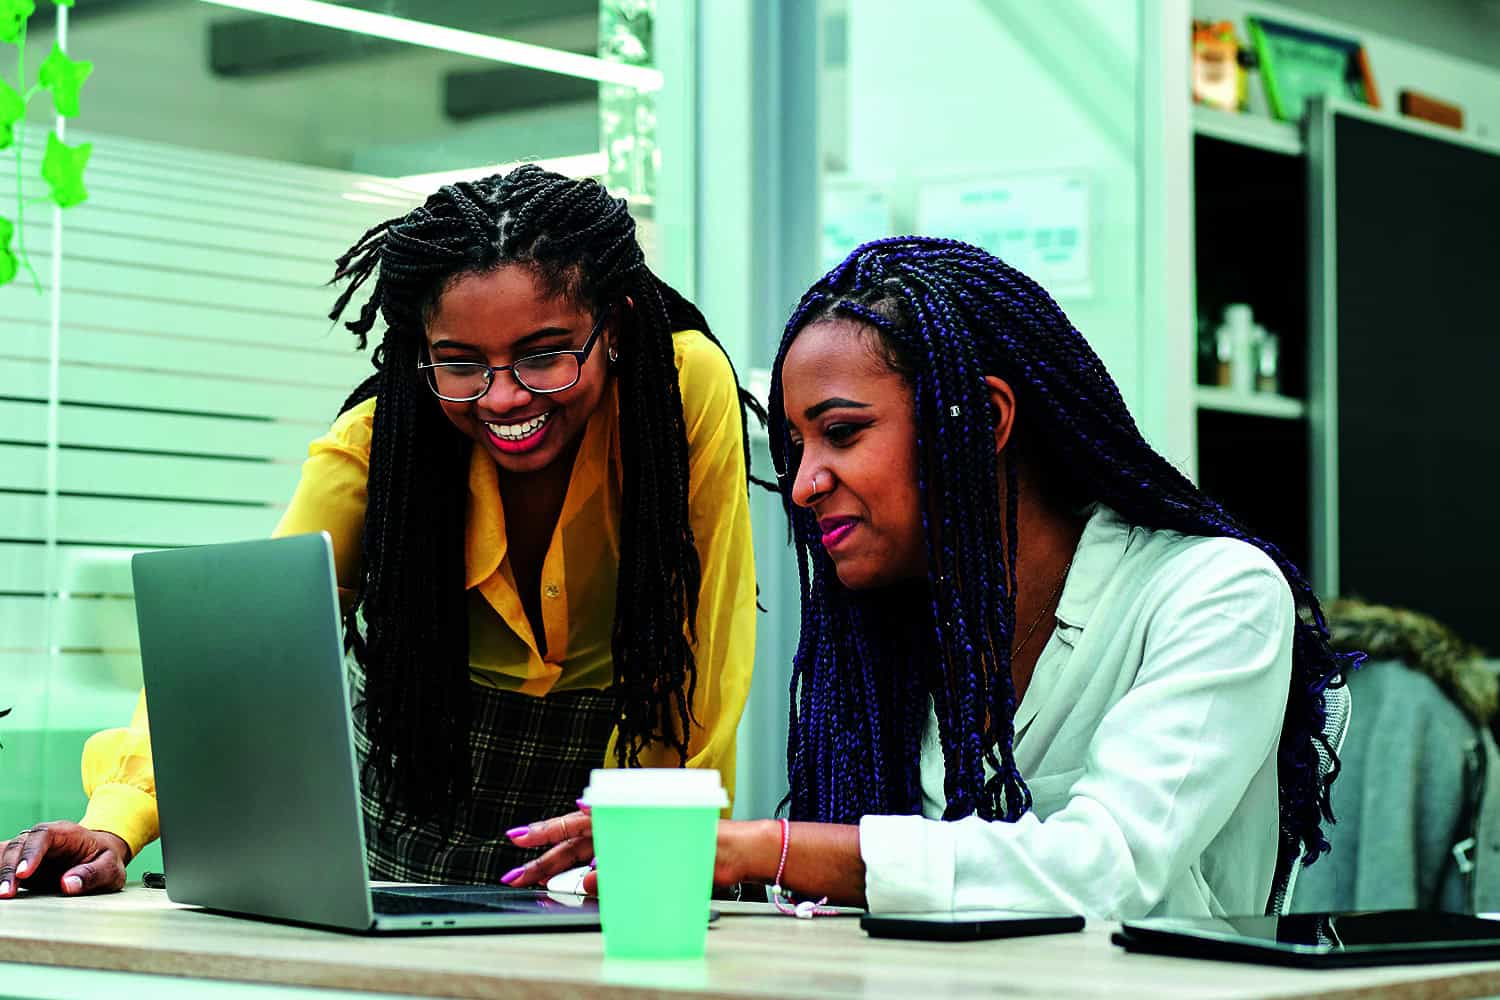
163	376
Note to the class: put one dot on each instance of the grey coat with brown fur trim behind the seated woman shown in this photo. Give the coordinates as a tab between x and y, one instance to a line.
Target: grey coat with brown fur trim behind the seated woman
1418	798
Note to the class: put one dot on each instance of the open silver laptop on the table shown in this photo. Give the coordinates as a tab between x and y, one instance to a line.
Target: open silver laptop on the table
254	749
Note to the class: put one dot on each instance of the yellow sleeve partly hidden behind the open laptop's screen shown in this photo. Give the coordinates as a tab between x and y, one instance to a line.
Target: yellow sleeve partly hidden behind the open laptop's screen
331	497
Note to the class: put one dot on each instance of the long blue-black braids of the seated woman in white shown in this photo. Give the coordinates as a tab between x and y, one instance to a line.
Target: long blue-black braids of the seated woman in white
946	316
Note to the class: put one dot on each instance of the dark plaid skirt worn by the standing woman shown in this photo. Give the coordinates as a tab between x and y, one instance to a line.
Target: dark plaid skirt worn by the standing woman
532	759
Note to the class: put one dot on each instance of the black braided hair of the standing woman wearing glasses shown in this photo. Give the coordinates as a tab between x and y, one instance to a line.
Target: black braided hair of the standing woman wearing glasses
580	244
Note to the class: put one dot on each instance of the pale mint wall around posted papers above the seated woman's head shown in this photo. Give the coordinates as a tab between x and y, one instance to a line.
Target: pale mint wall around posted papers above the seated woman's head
1010	88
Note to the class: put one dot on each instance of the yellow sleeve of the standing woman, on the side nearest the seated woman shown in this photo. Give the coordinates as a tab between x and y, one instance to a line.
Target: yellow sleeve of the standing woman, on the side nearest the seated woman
719	512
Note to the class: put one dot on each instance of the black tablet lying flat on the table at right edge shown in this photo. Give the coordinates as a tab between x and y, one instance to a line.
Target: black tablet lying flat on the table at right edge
1375	938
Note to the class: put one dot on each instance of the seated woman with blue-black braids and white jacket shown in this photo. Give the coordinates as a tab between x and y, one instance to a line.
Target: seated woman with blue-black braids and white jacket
1039	669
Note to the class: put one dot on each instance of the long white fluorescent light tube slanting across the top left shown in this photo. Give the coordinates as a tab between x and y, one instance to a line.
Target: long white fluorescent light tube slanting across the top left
448	40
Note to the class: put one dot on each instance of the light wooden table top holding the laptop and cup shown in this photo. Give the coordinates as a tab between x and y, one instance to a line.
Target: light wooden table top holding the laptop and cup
751	954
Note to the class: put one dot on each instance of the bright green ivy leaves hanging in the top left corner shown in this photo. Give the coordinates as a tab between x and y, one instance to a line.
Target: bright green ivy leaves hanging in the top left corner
62	166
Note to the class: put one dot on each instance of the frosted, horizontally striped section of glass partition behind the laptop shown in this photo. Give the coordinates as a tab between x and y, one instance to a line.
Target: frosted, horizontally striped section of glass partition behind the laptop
197	362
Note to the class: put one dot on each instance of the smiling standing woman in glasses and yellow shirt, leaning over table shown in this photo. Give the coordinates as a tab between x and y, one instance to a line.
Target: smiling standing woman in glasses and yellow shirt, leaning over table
541	525
